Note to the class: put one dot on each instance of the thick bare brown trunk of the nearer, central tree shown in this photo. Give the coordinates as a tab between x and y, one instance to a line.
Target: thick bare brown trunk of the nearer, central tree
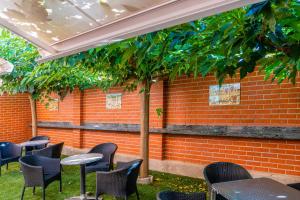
144	148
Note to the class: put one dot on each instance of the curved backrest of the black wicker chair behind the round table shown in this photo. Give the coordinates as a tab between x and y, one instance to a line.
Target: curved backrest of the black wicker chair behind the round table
108	150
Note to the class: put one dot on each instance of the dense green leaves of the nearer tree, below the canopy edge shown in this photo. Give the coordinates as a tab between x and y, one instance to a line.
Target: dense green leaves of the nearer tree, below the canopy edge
265	34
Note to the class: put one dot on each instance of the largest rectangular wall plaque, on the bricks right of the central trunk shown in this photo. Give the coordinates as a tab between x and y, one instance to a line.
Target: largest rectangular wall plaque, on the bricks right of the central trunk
227	94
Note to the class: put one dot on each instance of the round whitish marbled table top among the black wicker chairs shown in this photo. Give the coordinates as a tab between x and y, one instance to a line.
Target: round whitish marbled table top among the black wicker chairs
82	159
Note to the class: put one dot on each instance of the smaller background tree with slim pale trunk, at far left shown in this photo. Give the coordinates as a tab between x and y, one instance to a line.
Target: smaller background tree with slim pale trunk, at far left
39	81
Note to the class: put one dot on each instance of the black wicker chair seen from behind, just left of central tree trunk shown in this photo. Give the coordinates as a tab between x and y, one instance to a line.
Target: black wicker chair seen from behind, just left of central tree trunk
120	182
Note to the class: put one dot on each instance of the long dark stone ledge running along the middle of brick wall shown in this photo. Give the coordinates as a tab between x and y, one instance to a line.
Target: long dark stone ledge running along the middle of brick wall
290	133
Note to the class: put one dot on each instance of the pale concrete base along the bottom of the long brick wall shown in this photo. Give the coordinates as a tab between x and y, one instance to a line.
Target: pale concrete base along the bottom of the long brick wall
180	168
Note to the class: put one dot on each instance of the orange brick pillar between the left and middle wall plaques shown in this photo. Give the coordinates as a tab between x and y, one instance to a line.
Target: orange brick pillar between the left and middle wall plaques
77	118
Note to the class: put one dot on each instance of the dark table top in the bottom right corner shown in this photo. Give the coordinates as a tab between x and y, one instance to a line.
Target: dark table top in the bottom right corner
255	189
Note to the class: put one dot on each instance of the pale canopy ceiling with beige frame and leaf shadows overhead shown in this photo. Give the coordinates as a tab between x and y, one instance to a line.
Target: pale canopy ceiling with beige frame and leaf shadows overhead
64	27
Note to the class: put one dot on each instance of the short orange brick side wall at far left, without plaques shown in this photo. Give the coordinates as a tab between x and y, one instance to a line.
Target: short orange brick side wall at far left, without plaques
15	118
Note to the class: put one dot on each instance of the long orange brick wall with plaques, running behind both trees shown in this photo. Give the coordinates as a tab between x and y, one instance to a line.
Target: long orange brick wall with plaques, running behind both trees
185	102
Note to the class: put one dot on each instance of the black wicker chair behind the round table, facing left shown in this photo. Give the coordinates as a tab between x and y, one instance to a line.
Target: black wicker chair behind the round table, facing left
106	163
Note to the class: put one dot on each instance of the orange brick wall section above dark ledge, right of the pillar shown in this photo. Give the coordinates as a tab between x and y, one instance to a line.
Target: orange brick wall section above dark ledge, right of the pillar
262	103
